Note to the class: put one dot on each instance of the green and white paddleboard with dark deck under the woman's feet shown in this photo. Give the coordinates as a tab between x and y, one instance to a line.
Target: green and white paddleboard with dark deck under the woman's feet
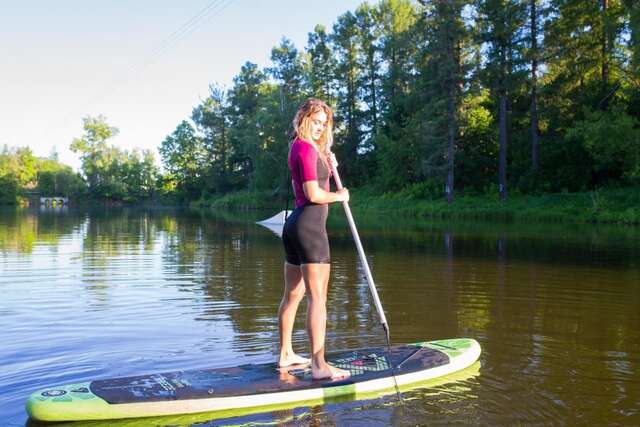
250	386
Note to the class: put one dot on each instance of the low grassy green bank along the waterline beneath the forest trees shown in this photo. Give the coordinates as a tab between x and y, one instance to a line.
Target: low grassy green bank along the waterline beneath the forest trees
620	206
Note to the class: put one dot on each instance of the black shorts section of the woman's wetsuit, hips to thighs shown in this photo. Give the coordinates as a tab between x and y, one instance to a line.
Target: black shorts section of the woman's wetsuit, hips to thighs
305	236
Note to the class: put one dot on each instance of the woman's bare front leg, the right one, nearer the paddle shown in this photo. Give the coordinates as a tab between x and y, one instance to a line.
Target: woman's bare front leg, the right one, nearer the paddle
316	279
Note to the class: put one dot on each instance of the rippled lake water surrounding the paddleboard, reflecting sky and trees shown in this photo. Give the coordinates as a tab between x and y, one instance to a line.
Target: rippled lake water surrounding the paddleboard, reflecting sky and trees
118	292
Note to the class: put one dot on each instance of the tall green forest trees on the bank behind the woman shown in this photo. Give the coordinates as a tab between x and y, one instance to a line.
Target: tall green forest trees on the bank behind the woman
428	93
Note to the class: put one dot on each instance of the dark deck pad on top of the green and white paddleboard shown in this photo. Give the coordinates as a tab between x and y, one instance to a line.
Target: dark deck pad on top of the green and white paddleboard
263	378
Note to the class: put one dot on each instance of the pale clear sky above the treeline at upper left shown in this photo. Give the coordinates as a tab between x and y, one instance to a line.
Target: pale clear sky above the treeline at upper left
143	64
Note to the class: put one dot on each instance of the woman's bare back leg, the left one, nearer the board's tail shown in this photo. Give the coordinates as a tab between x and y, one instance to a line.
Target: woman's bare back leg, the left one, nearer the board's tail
293	294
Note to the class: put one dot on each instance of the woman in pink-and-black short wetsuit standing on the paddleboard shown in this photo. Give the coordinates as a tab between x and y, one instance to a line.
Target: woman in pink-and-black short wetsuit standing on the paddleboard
306	267
